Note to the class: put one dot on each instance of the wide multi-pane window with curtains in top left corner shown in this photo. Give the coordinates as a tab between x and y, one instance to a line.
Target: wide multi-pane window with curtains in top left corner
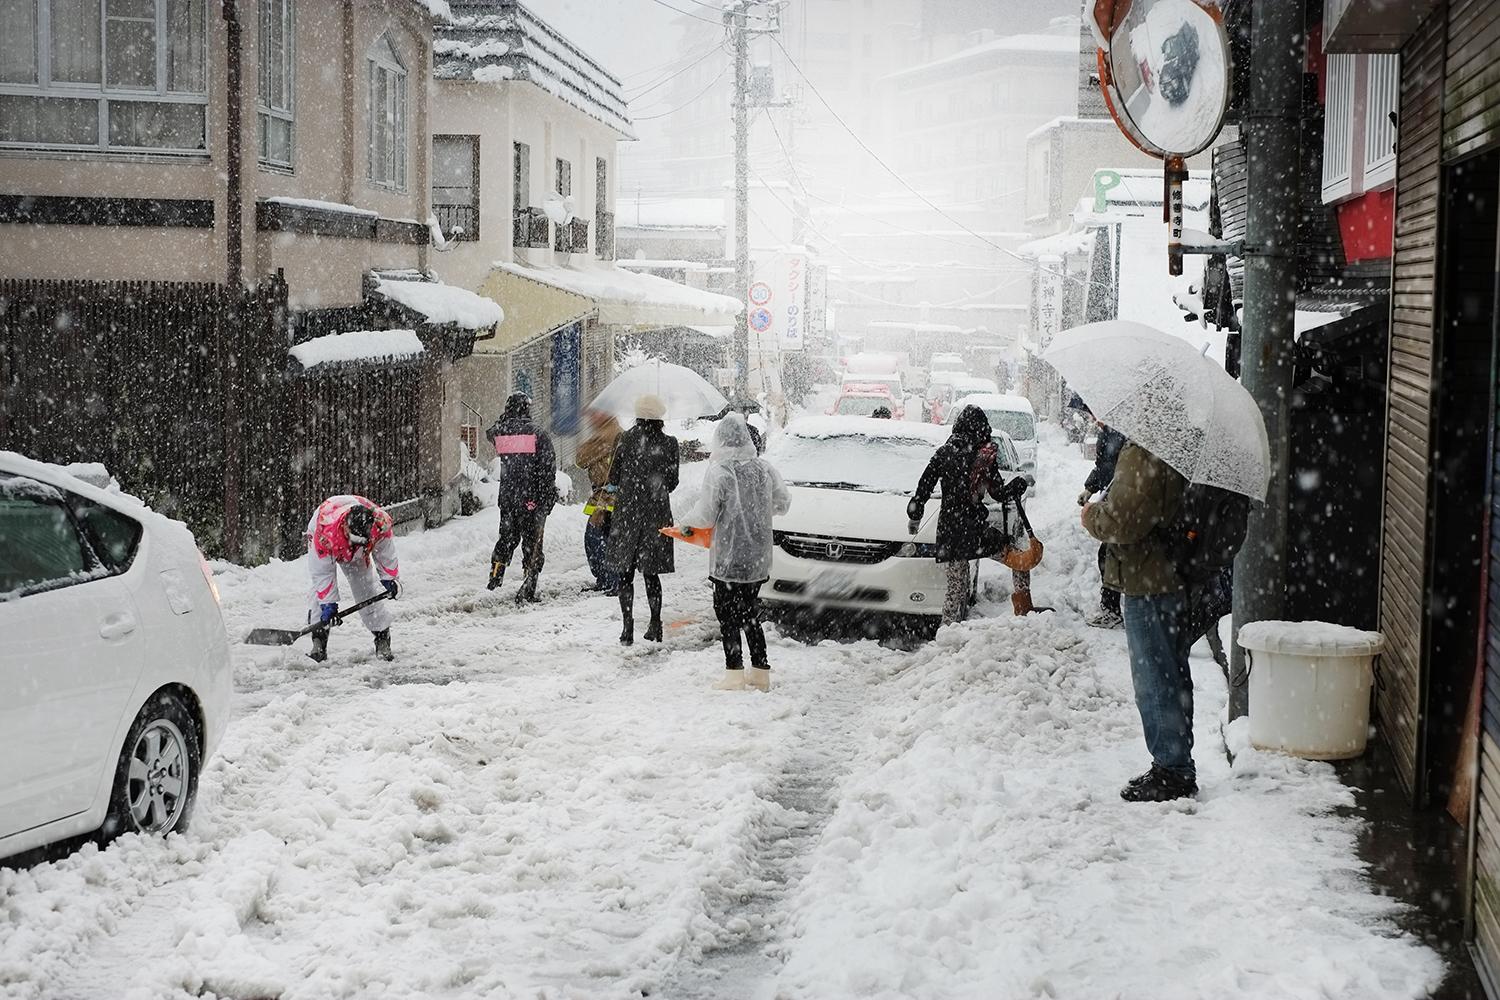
121	76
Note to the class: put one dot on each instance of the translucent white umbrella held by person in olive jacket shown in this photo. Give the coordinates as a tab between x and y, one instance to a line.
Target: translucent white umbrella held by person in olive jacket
1168	398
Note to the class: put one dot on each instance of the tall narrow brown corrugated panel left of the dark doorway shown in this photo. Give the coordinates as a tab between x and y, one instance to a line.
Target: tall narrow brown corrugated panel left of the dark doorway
1403	551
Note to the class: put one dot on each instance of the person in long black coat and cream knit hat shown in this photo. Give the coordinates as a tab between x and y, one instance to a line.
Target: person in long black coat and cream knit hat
641	479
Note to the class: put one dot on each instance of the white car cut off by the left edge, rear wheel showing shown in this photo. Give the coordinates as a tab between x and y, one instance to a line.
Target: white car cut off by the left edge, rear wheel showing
115	665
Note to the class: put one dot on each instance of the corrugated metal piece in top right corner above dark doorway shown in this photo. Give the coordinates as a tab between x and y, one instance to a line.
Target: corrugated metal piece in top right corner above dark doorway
1472	86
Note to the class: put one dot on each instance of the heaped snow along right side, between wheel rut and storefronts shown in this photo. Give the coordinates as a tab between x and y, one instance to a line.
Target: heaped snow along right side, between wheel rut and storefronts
980	849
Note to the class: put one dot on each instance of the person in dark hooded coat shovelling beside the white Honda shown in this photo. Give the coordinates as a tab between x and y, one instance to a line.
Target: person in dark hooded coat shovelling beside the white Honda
967	467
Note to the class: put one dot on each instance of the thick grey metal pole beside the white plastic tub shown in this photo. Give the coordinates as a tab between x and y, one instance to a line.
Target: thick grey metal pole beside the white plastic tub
1274	146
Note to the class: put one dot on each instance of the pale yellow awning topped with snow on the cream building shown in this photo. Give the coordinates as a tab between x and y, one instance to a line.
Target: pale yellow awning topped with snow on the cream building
544	299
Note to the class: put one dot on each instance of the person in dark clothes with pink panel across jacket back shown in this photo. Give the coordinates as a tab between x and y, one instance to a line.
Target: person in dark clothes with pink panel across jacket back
527	494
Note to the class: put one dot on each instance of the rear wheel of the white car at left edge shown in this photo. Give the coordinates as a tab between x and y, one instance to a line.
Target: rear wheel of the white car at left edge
157	779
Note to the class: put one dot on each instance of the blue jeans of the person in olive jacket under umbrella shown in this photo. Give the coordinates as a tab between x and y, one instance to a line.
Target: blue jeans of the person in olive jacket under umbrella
1159	666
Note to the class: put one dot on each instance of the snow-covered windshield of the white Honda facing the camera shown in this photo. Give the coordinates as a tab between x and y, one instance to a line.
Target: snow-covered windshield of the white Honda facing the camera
856	463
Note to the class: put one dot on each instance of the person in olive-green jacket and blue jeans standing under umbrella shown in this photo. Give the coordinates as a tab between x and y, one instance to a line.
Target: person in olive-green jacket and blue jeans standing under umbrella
1141	503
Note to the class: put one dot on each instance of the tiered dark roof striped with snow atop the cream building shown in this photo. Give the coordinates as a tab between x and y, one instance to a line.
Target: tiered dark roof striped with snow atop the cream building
496	41
